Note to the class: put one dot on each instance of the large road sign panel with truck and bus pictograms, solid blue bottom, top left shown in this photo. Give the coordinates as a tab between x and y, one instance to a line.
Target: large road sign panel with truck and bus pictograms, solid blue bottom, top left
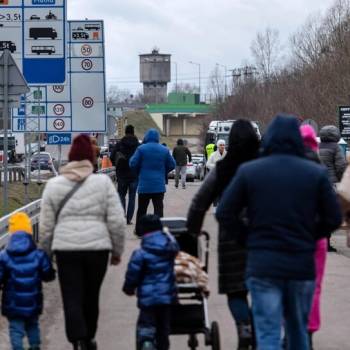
35	33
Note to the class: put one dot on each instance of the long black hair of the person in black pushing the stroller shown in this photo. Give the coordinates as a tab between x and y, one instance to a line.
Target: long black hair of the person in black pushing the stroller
243	146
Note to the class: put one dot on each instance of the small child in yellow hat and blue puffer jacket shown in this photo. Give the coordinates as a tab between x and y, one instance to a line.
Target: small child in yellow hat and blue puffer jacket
23	268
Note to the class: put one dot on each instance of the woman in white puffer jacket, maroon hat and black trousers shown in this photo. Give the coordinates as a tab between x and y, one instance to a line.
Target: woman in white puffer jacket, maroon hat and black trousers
82	221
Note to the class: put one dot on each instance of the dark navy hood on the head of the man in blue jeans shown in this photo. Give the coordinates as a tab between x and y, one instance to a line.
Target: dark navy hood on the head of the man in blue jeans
283	137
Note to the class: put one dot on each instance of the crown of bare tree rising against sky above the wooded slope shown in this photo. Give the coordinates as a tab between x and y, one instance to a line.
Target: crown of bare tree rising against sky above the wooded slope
266	51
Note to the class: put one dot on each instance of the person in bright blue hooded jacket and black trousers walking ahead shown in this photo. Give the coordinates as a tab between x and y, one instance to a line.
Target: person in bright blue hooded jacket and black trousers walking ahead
151	162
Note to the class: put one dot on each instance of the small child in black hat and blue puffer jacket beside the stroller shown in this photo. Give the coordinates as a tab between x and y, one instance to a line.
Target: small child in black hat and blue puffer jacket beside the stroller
151	272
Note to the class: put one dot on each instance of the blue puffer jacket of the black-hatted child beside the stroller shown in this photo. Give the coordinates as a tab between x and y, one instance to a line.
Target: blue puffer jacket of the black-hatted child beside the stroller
151	270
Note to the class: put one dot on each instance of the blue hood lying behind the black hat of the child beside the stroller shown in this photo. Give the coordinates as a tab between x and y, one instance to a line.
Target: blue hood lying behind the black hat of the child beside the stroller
160	243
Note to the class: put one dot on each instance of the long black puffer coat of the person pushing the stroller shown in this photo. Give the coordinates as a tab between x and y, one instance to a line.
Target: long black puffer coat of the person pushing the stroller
232	256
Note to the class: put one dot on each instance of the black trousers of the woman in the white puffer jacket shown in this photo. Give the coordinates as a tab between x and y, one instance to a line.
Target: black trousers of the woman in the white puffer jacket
81	274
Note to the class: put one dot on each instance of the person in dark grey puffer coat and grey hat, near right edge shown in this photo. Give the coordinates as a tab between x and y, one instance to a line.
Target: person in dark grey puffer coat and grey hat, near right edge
331	154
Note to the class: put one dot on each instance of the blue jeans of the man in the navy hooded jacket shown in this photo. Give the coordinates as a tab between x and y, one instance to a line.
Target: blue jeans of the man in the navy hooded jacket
278	303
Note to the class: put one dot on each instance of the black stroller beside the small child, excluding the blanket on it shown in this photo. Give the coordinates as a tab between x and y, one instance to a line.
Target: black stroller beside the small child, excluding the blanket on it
190	315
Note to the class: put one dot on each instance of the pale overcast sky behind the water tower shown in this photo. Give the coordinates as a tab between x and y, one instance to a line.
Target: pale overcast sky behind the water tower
203	31
